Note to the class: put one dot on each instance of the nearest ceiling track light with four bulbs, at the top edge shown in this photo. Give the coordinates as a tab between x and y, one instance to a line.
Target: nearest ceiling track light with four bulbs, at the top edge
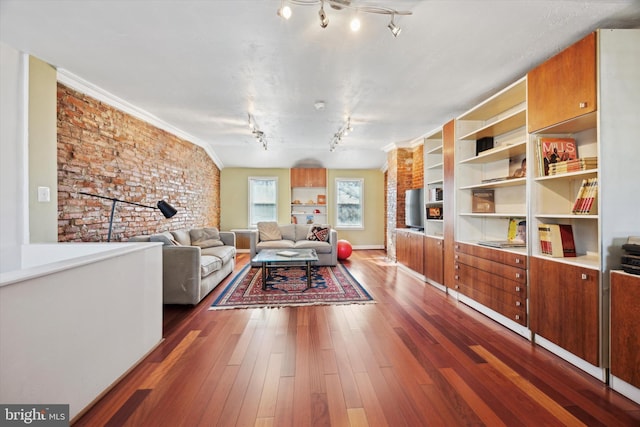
285	12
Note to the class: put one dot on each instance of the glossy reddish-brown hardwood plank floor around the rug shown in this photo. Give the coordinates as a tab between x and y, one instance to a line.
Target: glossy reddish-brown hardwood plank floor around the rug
416	358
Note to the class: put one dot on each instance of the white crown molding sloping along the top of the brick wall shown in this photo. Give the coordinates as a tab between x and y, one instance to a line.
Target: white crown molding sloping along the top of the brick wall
69	79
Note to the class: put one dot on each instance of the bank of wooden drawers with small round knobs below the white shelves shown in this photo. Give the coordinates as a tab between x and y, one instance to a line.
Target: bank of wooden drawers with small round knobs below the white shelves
494	278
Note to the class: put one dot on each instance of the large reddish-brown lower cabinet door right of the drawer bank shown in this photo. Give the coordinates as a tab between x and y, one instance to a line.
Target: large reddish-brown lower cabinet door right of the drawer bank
565	306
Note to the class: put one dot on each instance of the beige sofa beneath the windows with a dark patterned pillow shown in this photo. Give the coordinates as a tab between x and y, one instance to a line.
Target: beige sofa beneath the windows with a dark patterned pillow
322	238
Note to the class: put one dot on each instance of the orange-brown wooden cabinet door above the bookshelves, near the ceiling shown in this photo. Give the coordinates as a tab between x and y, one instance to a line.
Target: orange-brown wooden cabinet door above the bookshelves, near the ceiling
563	87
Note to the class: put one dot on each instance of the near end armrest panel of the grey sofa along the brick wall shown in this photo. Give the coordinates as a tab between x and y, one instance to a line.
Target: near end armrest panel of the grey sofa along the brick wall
181	274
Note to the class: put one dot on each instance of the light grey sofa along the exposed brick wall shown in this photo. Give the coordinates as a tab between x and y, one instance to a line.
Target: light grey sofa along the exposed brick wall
194	262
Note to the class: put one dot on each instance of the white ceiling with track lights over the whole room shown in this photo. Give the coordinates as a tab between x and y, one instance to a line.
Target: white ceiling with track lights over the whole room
202	65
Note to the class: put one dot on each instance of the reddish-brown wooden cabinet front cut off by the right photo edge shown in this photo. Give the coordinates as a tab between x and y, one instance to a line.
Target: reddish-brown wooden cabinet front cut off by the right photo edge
625	327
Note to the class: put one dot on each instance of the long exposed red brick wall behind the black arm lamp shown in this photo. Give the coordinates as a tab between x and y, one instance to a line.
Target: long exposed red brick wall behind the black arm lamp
102	150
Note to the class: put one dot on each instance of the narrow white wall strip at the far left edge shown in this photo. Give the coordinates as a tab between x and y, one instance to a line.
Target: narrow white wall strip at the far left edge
13	148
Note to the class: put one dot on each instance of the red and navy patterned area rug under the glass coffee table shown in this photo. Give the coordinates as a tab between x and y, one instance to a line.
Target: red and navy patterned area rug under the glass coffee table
329	285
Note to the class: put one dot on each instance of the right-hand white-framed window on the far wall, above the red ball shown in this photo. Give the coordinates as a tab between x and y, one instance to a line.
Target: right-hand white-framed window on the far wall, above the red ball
349	203
